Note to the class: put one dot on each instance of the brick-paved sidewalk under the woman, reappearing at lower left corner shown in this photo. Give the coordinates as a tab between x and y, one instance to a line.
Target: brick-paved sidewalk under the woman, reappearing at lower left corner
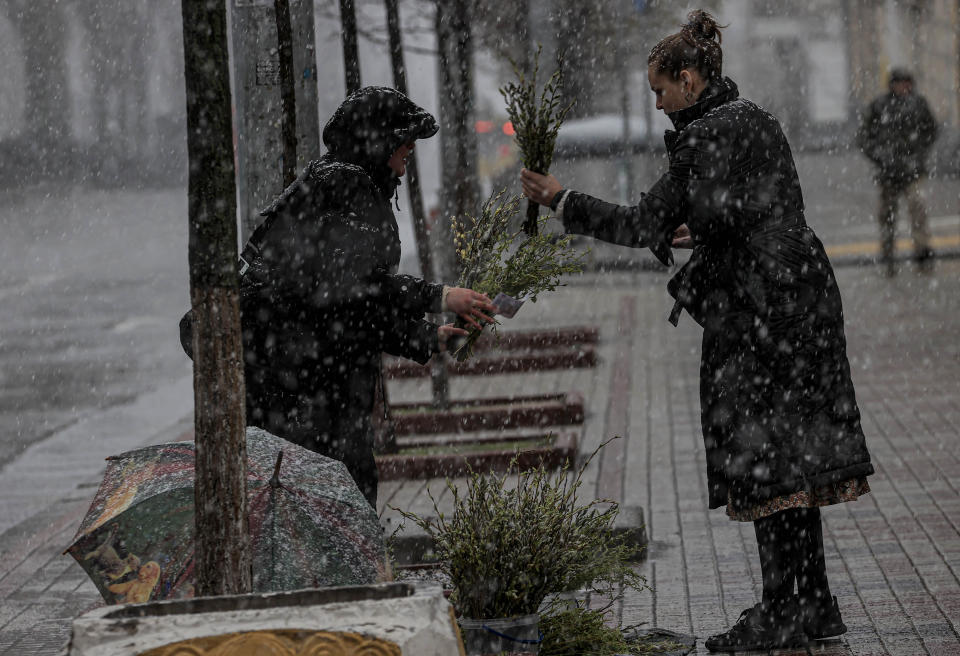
893	557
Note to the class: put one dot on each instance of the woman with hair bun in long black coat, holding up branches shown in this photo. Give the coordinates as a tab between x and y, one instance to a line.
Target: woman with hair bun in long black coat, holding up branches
780	420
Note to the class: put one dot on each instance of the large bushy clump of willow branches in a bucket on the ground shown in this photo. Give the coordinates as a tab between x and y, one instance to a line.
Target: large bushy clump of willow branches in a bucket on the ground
508	549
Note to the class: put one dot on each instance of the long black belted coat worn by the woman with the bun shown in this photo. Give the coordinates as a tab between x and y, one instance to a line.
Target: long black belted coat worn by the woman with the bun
778	409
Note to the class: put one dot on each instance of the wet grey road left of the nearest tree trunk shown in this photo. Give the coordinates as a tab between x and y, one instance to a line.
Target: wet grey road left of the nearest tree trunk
89	282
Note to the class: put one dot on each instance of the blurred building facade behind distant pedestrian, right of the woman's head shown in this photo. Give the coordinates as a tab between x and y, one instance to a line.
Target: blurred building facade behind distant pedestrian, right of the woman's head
816	64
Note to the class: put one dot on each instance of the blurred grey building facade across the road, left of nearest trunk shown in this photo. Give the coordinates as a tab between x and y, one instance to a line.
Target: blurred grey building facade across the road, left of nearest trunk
91	90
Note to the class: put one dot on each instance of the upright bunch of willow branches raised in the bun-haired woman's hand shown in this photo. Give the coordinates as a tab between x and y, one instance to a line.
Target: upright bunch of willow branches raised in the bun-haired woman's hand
536	122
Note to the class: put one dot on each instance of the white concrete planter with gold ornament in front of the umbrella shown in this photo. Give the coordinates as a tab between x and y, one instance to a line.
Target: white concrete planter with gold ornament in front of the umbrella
375	620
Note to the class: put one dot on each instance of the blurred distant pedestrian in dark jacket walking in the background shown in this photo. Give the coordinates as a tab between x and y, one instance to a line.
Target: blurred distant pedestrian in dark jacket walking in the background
896	134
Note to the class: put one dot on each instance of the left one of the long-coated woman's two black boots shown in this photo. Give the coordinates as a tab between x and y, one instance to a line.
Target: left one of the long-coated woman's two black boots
762	627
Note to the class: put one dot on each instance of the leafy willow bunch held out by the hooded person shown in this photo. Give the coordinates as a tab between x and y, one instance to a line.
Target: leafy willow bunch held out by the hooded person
490	261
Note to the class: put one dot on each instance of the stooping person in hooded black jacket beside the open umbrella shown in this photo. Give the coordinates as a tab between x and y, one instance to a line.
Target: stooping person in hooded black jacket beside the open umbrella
323	300
